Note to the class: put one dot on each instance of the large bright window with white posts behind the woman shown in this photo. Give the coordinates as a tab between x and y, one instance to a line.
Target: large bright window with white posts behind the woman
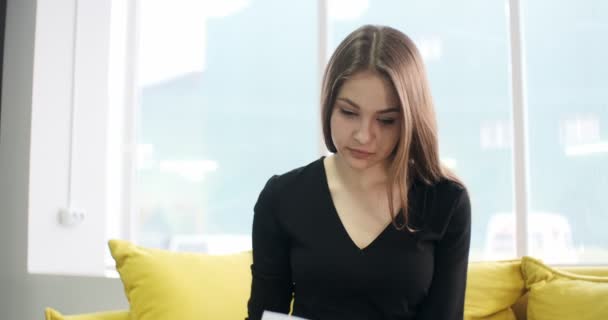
226	94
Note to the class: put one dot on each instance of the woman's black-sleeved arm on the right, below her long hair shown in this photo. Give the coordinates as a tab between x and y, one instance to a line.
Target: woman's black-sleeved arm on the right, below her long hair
445	299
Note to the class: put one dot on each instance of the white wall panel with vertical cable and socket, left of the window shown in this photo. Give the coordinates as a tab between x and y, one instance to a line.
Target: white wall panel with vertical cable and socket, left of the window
69	138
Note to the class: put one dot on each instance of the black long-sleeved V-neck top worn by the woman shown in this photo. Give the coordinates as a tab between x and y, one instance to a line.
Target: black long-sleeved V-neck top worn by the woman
302	250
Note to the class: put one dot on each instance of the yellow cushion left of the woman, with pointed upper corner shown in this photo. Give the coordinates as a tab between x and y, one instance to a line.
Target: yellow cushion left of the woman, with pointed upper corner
160	284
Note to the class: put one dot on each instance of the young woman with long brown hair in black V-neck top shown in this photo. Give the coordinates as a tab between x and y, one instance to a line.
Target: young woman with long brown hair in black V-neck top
379	229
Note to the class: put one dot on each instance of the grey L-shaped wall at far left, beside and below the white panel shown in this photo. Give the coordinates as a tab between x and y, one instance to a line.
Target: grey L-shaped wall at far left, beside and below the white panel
24	296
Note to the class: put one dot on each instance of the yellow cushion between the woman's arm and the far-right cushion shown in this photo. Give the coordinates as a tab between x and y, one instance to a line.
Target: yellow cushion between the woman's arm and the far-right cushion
492	287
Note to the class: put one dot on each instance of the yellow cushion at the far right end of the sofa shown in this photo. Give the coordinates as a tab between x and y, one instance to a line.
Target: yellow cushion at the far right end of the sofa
558	294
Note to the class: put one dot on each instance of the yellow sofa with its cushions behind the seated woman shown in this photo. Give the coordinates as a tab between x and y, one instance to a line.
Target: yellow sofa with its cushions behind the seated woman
167	285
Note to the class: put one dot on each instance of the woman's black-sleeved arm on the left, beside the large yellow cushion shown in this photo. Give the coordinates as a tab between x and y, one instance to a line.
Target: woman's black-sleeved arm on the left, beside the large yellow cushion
271	286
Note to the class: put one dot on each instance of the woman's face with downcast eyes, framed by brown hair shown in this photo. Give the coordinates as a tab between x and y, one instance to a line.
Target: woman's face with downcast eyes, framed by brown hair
365	120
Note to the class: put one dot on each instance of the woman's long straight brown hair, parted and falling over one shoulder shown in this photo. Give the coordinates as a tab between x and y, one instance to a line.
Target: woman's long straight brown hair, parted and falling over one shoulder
393	55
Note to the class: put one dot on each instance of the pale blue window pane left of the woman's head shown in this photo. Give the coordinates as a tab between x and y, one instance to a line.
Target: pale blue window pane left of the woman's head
210	136
